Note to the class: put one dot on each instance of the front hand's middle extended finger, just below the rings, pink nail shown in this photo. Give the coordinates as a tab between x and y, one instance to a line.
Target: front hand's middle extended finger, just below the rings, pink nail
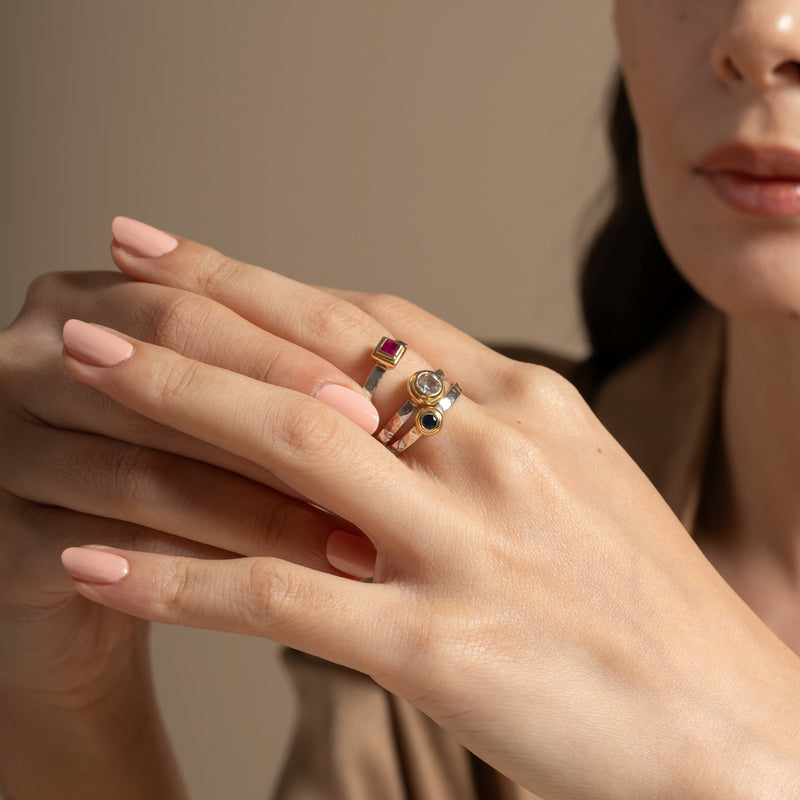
307	445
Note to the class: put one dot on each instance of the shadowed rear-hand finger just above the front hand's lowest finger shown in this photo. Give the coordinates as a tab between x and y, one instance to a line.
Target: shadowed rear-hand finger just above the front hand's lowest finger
179	496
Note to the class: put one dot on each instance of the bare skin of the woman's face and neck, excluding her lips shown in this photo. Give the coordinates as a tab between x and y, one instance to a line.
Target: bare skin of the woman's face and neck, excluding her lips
732	77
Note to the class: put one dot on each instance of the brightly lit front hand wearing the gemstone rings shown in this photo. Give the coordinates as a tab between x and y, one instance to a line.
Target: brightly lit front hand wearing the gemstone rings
532	592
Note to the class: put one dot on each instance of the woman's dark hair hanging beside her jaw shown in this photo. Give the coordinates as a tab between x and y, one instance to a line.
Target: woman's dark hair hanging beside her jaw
629	288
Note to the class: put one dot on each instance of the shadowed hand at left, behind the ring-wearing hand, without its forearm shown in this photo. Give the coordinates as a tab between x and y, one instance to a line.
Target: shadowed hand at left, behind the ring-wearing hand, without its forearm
75	468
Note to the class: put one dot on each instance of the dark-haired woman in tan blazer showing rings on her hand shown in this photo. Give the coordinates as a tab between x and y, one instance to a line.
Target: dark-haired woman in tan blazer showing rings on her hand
531	591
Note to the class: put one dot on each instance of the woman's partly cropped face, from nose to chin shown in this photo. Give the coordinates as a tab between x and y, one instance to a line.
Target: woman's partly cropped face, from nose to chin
715	90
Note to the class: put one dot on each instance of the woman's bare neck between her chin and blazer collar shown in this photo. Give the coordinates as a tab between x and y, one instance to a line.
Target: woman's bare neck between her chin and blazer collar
755	478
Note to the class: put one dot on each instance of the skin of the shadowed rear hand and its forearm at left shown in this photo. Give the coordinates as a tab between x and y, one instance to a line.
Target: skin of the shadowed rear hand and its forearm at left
77	468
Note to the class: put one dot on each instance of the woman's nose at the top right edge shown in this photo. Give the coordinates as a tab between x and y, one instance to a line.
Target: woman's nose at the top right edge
758	43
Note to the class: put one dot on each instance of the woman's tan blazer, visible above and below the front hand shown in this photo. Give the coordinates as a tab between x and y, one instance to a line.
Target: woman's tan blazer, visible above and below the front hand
355	741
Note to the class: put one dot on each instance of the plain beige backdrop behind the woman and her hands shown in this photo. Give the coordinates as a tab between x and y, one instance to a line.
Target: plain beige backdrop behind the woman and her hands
445	151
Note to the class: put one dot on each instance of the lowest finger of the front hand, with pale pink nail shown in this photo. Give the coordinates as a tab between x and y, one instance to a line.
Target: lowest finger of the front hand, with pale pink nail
340	620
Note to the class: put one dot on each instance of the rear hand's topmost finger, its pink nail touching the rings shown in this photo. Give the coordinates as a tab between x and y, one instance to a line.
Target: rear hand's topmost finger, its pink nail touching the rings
199	328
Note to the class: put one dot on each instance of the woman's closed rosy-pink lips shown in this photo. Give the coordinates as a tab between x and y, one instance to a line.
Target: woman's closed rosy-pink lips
763	182
